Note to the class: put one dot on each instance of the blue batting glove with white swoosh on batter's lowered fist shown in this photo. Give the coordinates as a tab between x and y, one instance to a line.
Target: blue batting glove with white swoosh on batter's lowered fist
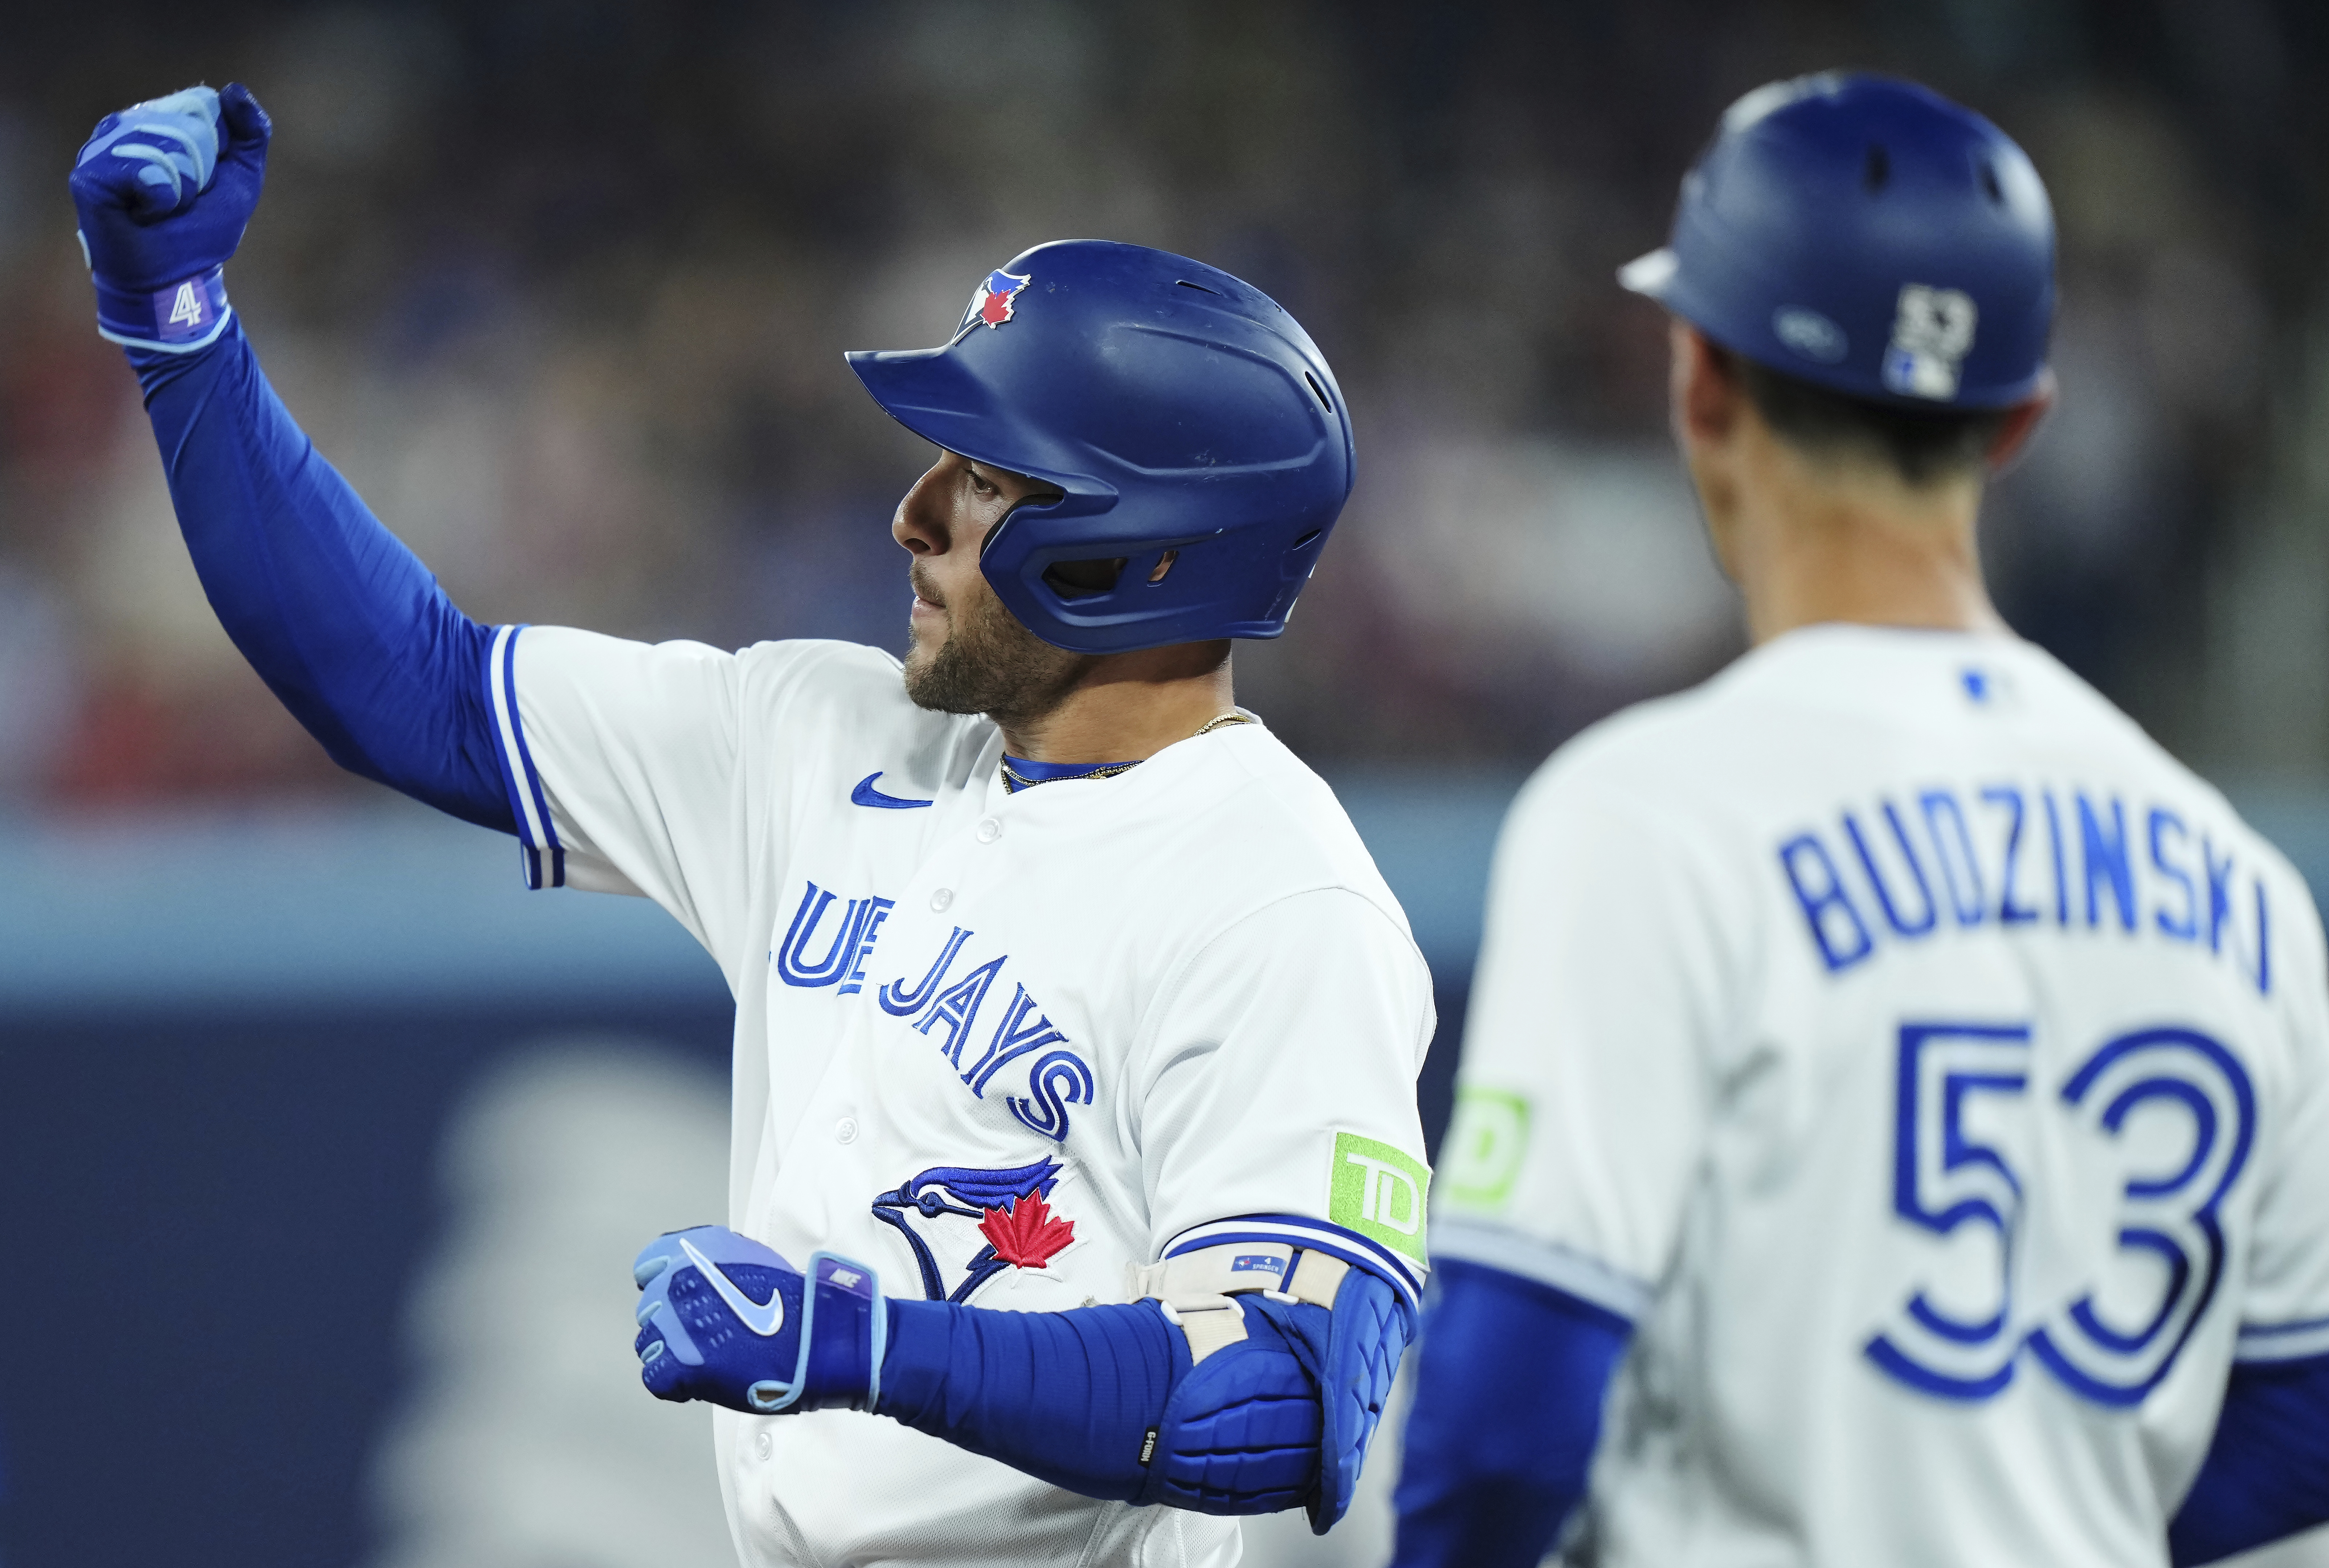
730	1322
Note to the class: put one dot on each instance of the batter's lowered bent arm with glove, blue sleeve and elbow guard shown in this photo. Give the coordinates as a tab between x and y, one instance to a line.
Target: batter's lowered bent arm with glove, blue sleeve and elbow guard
1224	1401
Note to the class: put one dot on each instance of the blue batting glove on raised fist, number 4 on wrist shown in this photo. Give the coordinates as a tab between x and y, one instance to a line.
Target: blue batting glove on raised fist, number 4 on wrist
164	192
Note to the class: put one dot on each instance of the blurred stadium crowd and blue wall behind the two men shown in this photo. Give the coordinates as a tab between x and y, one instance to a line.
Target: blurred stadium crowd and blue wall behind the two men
323	1147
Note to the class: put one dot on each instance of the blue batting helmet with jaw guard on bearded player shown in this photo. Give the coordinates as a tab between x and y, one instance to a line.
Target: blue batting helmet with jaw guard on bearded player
1177	409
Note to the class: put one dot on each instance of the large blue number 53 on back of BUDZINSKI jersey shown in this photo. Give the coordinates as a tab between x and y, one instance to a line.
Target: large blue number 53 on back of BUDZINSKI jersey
2121	1171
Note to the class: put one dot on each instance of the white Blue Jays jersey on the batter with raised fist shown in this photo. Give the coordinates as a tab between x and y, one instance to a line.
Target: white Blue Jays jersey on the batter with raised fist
1000	1047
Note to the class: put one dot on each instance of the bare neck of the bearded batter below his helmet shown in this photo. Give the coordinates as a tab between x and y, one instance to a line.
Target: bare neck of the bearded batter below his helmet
1128	707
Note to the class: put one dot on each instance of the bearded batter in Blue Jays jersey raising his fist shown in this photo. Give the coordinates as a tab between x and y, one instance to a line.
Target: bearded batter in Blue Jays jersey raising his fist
1075	1145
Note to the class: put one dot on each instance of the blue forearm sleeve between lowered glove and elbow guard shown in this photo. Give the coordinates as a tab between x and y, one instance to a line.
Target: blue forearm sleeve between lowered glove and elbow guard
1066	1397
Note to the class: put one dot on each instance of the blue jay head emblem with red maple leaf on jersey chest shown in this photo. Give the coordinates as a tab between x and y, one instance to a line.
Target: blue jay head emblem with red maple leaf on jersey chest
968	1224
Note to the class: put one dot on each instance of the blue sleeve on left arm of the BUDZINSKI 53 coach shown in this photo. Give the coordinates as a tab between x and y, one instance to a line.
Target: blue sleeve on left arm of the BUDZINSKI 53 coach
1508	1411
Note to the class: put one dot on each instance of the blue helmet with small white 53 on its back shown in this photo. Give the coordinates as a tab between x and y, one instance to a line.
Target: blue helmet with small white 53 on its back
1869	236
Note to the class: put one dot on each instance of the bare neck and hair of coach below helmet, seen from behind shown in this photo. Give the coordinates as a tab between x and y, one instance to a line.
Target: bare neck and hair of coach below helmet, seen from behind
1829	537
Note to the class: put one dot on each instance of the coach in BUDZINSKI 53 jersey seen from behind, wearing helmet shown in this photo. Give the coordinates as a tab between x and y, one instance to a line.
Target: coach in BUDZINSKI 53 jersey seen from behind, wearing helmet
1892	1082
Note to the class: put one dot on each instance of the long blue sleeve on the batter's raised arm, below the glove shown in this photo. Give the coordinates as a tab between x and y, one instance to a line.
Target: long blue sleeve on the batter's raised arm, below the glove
334	614
